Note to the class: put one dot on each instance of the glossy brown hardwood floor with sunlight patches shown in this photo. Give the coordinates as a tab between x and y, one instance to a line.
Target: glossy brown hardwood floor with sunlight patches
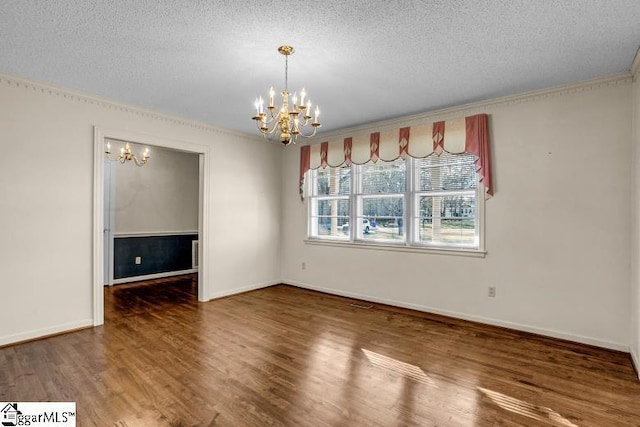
284	356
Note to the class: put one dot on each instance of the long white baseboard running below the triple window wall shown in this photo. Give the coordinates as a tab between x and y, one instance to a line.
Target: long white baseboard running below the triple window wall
463	316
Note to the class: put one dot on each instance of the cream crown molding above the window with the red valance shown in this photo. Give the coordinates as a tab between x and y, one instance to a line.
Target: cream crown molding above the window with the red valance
477	107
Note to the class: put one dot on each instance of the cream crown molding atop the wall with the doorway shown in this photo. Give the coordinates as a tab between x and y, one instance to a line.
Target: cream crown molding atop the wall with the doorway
82	97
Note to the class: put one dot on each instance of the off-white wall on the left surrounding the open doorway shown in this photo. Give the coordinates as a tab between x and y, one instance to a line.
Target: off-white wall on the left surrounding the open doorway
46	227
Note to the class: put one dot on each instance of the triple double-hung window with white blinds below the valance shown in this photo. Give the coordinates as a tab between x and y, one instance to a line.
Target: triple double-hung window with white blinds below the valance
430	203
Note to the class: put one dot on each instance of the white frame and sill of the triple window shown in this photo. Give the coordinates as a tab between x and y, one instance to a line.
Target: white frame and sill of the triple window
410	218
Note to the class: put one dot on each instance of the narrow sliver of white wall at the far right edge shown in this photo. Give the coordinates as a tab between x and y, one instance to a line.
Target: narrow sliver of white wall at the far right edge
635	260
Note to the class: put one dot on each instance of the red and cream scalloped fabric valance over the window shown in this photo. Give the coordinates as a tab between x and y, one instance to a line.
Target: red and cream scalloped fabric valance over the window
465	135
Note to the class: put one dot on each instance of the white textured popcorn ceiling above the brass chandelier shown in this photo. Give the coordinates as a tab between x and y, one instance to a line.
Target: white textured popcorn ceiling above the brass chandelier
361	61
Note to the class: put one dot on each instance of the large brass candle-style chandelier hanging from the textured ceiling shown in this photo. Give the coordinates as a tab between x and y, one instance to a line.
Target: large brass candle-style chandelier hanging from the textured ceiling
292	118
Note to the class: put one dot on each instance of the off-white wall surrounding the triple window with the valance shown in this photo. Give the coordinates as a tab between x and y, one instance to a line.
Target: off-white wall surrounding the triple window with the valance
557	229
